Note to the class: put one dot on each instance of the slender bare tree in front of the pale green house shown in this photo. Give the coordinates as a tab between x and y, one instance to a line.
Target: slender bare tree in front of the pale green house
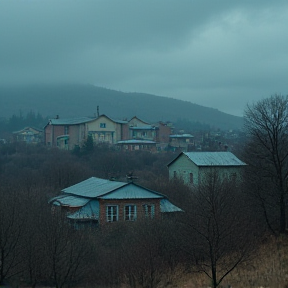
217	229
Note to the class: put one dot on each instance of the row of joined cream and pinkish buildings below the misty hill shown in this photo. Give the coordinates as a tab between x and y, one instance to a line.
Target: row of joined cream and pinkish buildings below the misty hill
134	134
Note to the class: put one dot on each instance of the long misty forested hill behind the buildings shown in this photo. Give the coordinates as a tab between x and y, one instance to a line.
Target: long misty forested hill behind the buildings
82	100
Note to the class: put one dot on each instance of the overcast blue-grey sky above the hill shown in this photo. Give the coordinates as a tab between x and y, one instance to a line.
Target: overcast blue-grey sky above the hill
220	54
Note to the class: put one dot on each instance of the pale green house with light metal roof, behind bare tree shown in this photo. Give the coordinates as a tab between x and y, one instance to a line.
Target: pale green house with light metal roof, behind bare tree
192	167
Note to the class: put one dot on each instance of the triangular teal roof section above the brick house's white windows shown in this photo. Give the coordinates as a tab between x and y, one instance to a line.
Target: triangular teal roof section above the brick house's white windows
132	191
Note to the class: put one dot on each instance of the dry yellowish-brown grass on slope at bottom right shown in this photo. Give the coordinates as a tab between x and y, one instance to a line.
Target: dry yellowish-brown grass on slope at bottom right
268	269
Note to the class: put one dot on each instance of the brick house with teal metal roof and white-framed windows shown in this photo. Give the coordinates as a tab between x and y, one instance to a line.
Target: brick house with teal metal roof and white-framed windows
102	201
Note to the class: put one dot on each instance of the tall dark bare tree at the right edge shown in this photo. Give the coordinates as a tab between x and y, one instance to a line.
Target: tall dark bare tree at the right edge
266	123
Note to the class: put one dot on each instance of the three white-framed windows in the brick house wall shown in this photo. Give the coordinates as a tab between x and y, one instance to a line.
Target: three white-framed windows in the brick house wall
130	212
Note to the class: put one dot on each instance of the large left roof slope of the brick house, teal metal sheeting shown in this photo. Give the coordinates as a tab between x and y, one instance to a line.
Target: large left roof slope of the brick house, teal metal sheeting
93	187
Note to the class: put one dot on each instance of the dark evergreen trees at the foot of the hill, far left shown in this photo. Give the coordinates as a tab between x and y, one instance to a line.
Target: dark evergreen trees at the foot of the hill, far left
18	122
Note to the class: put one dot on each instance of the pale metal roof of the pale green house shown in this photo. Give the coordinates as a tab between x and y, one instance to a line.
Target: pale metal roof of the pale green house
214	159
